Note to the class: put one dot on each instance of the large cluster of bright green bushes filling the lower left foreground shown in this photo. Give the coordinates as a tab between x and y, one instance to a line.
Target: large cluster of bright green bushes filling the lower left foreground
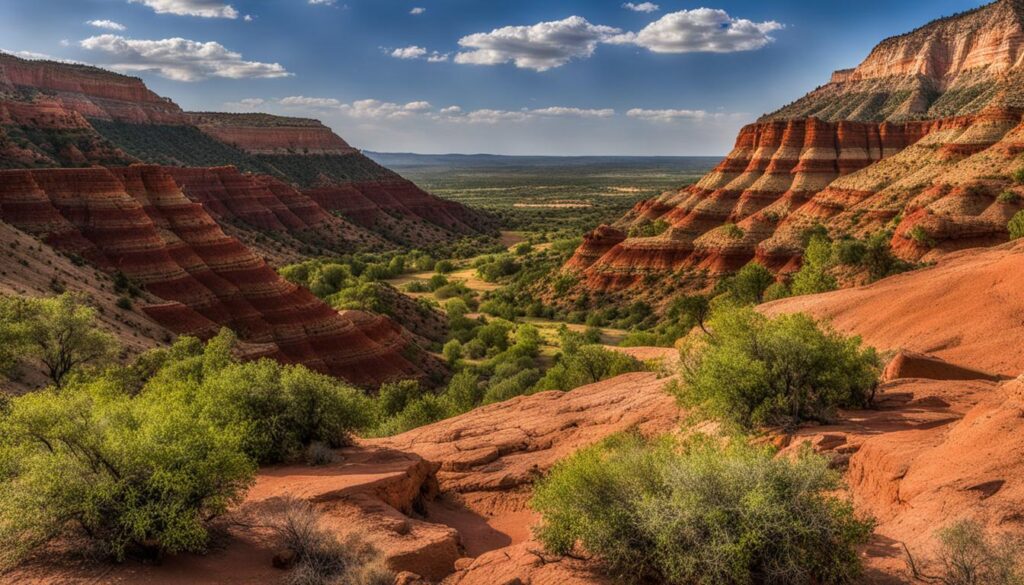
142	457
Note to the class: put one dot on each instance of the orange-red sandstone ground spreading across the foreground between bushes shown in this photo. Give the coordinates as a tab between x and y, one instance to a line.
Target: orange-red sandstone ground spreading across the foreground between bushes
449	503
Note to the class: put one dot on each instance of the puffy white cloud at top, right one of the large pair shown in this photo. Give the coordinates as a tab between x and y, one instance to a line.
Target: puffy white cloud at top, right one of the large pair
702	30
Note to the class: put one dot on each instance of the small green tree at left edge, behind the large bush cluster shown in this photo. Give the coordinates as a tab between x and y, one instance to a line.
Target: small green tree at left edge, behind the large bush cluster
61	332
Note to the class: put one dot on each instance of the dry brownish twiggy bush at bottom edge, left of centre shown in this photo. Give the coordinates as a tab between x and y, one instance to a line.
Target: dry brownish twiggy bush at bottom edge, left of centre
321	559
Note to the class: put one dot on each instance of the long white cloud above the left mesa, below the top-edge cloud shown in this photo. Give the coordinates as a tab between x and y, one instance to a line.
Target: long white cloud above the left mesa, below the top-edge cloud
181	60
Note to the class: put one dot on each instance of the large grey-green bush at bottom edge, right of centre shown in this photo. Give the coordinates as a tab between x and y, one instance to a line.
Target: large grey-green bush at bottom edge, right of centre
702	514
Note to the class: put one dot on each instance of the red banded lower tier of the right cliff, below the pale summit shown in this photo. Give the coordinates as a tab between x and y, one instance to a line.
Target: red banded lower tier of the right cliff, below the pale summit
785	177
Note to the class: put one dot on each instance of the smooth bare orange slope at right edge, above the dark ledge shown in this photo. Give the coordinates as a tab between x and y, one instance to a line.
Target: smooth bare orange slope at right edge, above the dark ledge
967	310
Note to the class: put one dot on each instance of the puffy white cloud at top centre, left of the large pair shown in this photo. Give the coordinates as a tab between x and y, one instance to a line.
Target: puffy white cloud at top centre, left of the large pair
540	48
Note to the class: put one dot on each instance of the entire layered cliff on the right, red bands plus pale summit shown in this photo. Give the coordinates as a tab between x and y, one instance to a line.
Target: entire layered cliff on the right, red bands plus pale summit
935	184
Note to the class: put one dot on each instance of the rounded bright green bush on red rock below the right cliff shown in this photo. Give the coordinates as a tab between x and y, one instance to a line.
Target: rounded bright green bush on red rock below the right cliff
755	371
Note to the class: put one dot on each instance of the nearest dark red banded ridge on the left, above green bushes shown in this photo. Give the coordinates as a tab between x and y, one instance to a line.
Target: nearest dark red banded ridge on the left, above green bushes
139	222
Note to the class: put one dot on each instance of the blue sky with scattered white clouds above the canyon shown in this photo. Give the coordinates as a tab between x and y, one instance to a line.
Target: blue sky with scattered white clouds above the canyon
538	77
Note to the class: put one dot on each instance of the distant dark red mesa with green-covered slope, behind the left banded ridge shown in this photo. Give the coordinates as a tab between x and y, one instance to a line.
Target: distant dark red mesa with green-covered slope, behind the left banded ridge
64	115
